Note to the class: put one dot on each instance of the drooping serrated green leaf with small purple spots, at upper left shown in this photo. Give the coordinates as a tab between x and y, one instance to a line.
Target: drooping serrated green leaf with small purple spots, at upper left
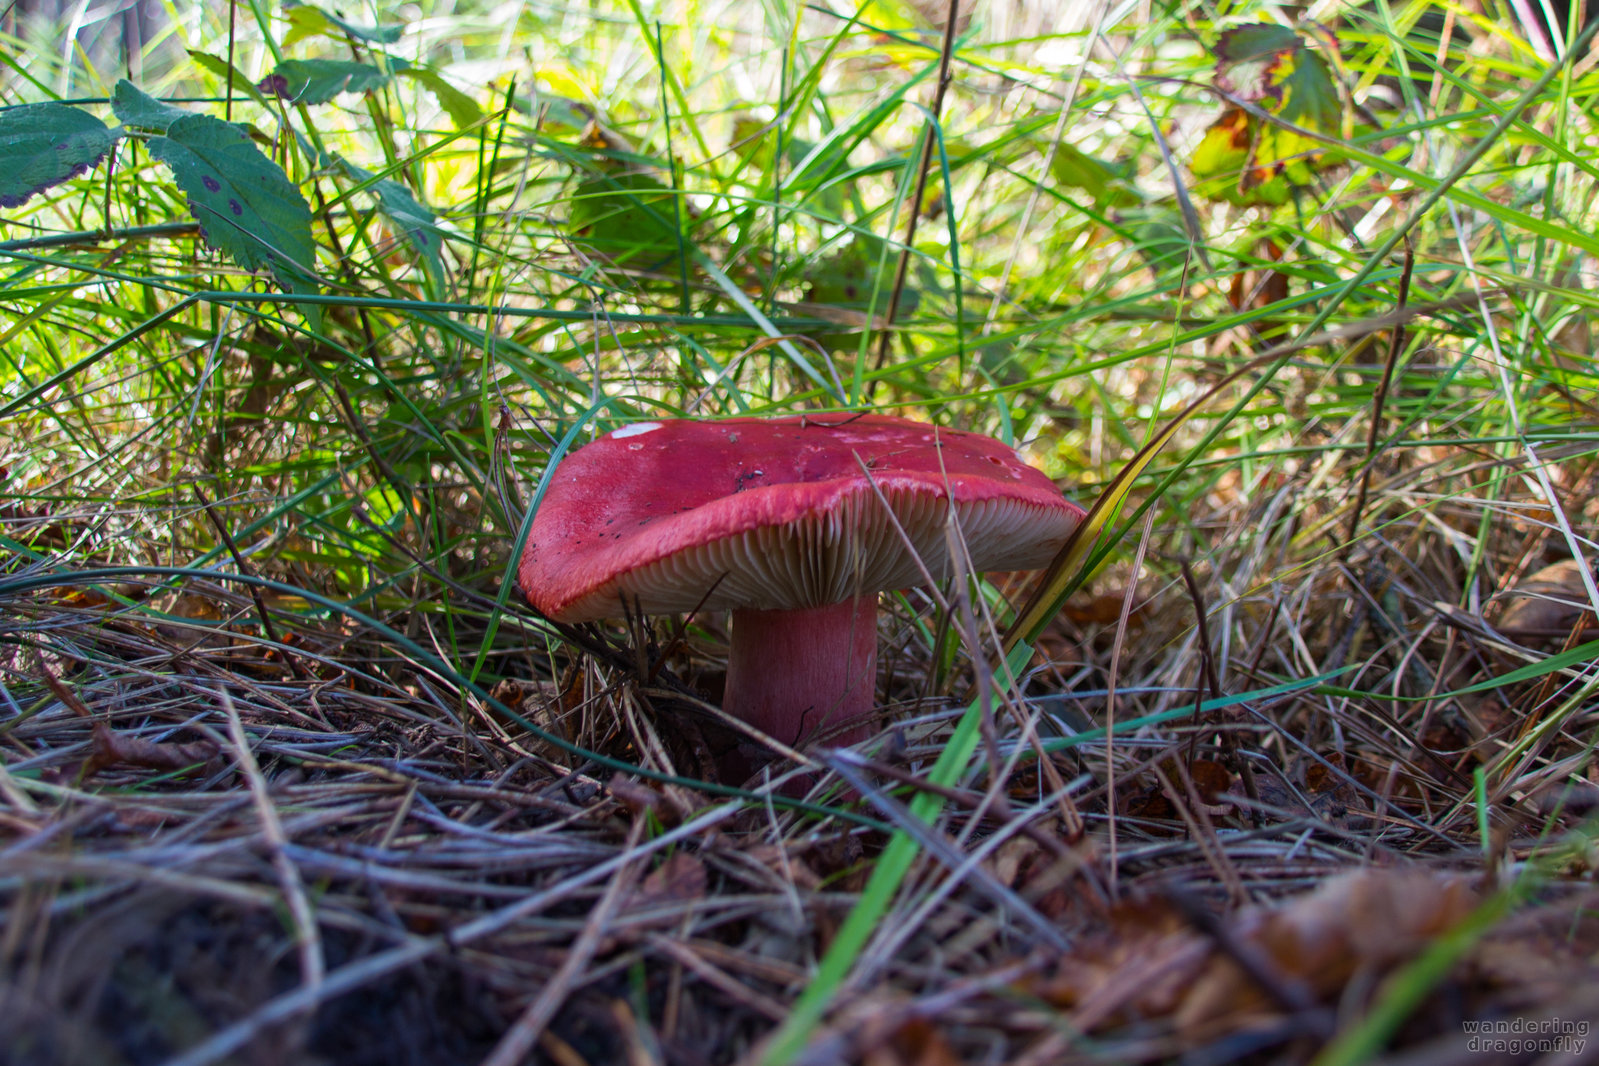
245	204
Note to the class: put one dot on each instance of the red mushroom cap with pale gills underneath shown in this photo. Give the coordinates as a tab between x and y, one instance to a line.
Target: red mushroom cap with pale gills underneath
778	514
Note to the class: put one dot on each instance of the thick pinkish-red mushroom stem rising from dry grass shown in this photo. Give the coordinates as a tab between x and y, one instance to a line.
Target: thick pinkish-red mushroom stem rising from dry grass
796	674
